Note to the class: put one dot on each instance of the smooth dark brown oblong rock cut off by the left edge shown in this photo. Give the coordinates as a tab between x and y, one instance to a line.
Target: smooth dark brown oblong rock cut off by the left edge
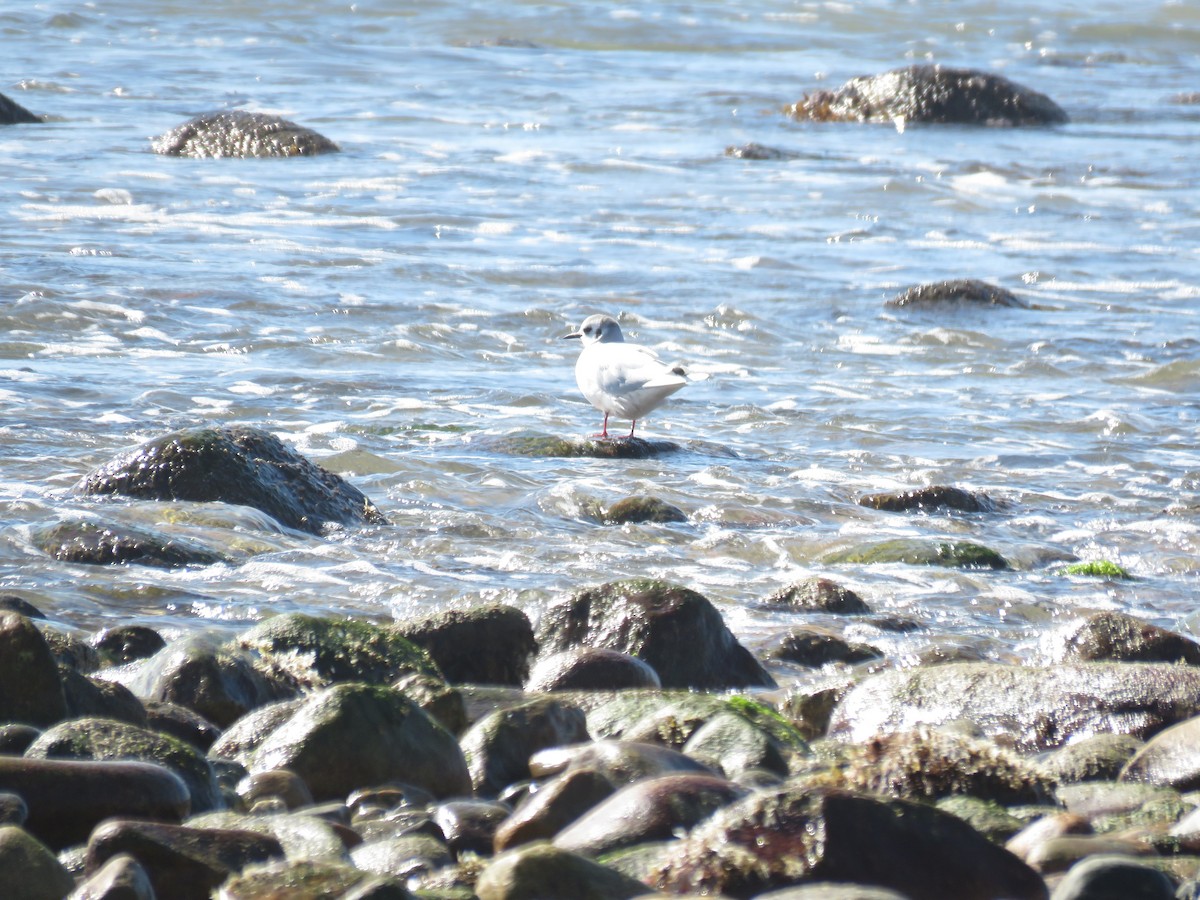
68	799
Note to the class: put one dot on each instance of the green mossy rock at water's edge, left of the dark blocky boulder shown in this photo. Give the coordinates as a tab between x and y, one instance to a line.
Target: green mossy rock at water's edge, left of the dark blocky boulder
319	652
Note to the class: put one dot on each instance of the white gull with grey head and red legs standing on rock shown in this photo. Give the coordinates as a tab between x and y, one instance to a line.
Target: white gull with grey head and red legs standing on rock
619	379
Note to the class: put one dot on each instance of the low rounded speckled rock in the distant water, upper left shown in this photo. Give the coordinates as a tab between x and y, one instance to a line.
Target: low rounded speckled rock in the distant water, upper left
239	134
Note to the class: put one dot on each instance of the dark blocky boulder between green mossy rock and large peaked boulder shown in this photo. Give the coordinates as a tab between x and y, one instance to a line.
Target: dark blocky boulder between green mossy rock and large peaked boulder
490	644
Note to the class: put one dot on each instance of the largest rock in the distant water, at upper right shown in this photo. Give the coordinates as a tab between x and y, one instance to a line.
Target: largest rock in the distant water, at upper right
931	94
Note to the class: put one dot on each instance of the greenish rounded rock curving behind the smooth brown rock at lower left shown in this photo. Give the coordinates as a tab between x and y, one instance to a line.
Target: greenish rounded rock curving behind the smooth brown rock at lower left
109	741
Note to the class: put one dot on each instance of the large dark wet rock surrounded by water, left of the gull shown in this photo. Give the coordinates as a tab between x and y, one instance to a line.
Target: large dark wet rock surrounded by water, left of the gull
237	465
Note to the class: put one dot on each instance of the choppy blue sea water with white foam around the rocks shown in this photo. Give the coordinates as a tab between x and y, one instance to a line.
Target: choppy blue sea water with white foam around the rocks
507	171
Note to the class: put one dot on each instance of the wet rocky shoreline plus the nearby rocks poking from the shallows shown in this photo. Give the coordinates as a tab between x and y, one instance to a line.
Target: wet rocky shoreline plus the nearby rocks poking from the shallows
626	746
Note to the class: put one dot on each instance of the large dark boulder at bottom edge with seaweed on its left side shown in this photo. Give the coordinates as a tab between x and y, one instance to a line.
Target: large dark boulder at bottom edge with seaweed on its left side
790	836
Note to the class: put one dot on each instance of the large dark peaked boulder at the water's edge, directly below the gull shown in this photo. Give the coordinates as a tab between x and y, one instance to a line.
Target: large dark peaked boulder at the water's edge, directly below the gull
677	632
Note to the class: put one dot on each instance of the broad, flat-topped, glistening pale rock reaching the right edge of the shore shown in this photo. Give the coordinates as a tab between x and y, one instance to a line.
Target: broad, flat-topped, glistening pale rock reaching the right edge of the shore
1033	707
